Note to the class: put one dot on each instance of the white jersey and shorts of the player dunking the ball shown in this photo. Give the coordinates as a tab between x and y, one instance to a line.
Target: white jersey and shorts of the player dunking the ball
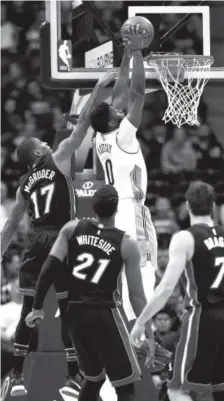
127	172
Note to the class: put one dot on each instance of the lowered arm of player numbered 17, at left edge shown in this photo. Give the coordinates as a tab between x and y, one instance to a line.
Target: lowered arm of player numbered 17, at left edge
12	223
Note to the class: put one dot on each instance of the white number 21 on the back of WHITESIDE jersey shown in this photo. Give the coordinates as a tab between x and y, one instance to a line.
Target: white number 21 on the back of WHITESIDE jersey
88	260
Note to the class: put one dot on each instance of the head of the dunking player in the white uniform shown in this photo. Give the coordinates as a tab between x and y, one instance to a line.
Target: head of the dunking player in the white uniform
105	118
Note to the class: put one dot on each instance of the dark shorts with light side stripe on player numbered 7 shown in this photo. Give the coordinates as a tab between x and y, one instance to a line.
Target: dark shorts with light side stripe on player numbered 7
199	358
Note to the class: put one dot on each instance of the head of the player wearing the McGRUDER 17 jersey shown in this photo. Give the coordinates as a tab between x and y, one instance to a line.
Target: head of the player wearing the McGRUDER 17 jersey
30	150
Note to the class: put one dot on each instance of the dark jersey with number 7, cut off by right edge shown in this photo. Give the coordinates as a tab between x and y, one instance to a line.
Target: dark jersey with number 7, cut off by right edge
204	275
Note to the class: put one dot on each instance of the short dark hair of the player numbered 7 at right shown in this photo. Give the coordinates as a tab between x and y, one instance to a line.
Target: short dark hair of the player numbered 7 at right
201	198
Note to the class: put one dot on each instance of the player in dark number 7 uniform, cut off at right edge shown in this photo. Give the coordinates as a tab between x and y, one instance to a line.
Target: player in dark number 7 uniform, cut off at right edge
196	256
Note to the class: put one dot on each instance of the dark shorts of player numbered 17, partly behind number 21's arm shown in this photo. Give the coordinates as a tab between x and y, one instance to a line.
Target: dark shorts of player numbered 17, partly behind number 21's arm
40	244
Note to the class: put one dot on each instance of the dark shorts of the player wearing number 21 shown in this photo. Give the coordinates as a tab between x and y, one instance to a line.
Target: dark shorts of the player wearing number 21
101	339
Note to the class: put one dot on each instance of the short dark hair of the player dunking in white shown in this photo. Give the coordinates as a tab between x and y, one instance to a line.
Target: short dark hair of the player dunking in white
100	118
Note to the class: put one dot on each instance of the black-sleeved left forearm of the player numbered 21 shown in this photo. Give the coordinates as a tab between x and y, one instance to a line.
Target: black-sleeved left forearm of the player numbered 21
46	278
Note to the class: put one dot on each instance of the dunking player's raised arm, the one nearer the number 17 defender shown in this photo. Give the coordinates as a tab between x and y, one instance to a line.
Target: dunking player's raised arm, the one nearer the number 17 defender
120	92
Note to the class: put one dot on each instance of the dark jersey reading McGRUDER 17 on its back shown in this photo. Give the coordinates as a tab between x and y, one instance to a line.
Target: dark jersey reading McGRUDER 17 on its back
49	195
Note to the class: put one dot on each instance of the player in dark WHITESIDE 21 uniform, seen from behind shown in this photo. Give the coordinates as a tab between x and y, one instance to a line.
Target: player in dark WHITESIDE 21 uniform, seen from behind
96	253
